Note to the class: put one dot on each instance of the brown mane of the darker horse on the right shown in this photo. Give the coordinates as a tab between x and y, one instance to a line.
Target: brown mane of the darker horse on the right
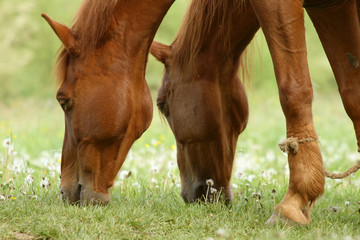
200	17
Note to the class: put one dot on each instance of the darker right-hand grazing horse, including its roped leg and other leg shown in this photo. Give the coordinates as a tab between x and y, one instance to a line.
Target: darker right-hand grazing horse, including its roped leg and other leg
205	103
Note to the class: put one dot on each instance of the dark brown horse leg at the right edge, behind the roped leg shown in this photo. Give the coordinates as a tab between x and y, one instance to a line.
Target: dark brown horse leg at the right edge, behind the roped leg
340	37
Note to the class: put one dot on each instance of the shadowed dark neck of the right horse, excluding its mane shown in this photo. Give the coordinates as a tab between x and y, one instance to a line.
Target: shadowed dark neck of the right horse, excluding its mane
219	56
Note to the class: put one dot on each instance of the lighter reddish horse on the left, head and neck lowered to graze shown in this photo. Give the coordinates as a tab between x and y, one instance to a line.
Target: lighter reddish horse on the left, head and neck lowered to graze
103	92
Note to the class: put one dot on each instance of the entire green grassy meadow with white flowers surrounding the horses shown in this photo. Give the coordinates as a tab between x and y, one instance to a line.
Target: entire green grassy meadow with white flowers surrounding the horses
147	205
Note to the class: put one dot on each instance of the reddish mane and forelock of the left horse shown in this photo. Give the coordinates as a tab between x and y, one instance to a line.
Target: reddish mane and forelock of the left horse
91	25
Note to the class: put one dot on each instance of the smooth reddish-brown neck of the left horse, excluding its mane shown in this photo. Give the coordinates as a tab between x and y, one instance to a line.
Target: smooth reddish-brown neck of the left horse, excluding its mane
133	30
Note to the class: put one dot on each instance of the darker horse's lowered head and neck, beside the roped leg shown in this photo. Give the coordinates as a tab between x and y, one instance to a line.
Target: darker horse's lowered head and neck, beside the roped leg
201	95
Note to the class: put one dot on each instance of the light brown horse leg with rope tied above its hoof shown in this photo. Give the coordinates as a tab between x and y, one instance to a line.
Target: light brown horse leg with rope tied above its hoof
282	22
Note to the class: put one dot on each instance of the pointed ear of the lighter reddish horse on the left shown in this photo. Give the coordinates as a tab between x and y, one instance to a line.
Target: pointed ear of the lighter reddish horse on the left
63	32
